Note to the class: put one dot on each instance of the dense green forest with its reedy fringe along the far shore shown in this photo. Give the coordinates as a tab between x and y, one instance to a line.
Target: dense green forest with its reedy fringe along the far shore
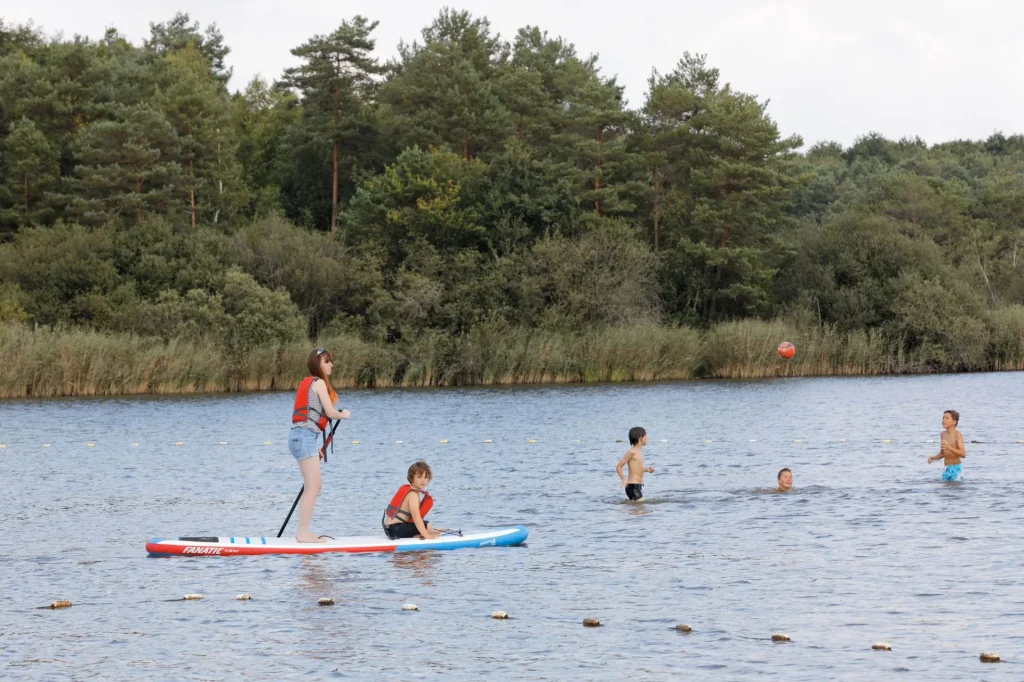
480	209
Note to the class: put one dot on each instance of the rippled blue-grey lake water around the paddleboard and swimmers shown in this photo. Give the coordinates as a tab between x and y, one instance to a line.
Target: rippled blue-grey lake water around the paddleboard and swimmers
869	547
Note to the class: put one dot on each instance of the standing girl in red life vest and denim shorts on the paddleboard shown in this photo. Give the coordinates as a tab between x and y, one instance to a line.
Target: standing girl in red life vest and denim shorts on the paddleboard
315	405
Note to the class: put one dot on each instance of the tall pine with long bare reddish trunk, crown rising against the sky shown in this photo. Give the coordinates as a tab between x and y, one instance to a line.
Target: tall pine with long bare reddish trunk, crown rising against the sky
336	84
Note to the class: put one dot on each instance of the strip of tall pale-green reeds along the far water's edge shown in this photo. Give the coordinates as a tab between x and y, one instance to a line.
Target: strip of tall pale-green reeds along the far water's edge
51	363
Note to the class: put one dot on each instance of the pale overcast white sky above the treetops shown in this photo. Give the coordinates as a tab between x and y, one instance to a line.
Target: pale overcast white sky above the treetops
940	69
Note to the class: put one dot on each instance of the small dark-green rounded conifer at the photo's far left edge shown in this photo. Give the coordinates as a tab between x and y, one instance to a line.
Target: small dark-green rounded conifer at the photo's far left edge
30	170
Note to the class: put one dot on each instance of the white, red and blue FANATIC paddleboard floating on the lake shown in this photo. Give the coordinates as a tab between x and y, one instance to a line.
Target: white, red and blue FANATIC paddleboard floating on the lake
239	546
